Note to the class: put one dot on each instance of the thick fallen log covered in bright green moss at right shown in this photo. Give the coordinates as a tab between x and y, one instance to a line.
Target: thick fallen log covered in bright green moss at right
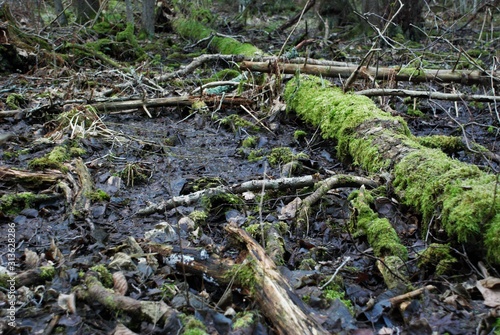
456	196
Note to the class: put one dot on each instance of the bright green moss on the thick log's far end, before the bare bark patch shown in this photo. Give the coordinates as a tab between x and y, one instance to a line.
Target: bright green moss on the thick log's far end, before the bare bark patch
338	115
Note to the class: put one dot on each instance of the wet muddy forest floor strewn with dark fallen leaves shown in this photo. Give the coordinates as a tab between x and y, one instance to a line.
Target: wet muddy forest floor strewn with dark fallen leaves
145	156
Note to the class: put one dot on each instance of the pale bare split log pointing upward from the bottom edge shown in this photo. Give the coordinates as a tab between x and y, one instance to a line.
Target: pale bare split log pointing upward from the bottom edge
273	293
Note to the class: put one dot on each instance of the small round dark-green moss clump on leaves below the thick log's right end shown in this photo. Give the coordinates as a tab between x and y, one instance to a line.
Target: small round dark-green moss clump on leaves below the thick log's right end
437	258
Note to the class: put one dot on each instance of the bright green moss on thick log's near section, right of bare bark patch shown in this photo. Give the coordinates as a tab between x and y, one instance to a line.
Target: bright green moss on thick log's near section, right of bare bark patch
462	195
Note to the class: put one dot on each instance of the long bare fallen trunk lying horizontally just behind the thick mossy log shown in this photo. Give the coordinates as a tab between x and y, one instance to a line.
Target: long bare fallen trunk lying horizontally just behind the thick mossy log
467	77
